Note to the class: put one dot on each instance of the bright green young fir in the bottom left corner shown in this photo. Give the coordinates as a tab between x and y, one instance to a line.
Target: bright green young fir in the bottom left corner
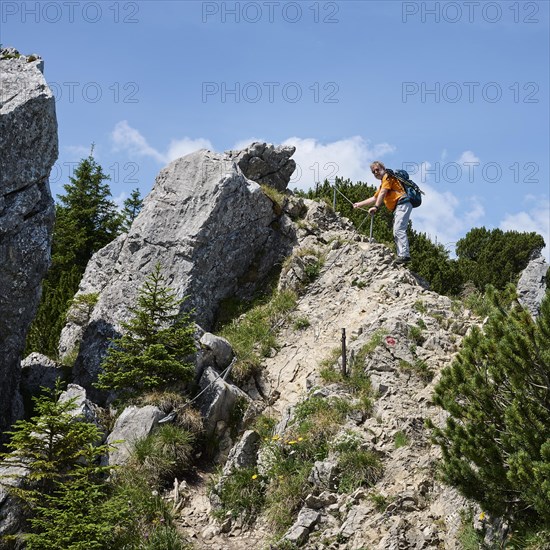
67	501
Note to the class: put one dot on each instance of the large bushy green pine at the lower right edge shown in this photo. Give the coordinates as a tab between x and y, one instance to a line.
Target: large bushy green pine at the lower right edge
496	443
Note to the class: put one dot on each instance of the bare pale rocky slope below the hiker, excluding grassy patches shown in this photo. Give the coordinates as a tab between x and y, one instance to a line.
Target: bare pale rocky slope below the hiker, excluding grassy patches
361	290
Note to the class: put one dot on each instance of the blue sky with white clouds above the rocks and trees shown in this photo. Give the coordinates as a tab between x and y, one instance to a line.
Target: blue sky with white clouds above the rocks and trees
457	92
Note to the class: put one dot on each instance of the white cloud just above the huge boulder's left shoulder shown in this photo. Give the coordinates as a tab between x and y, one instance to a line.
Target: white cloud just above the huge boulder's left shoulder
126	138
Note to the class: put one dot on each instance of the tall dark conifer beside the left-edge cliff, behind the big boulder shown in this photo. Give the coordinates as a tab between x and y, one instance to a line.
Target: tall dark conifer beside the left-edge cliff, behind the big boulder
86	220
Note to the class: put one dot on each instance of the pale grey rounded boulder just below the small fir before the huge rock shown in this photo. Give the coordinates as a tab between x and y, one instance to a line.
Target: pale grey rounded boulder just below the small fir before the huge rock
132	425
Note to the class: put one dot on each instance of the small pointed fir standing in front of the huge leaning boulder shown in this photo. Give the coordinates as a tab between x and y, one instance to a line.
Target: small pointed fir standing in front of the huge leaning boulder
158	339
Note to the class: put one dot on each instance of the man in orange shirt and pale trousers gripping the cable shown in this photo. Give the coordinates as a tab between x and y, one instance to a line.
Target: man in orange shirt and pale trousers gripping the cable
396	200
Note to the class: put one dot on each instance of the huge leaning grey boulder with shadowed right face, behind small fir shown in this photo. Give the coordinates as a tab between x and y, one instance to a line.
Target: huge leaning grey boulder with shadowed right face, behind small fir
214	231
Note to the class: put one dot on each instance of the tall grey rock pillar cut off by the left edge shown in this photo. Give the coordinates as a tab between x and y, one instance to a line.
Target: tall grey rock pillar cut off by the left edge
28	150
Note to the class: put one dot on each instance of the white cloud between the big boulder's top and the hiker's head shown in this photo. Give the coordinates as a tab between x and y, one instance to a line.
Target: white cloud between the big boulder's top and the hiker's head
347	158
